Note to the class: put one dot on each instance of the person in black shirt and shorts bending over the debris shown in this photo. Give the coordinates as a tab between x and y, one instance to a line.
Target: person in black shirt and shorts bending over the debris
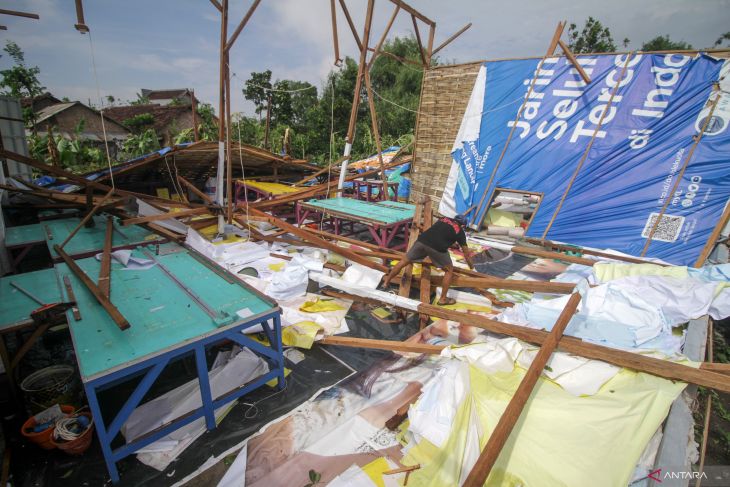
435	243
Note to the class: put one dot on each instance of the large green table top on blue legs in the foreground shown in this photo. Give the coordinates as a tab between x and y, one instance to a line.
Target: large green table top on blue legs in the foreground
162	316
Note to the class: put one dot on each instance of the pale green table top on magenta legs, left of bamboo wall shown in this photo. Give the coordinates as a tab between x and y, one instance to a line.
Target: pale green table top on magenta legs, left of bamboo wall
383	212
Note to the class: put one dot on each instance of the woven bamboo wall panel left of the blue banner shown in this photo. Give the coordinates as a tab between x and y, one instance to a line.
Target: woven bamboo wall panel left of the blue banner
446	91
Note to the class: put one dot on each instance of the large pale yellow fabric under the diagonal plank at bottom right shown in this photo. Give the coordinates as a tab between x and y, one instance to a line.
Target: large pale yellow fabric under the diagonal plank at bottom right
559	440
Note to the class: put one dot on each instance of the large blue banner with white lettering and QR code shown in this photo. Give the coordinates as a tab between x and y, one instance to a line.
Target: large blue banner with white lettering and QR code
647	133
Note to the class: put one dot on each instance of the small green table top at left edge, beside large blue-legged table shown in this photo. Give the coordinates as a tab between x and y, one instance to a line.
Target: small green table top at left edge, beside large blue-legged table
15	306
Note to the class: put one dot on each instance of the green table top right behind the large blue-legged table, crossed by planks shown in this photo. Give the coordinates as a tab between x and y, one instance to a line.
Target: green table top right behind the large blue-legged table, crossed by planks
91	239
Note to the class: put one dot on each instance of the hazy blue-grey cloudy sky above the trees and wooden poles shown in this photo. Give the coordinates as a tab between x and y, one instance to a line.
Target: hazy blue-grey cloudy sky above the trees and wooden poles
174	43
